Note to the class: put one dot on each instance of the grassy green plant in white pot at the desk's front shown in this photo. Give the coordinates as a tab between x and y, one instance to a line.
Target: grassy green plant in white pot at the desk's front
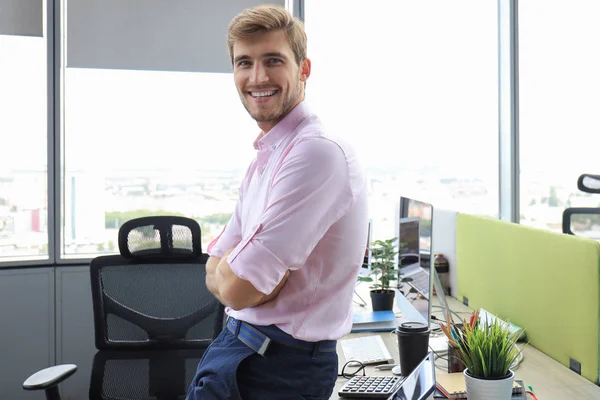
488	350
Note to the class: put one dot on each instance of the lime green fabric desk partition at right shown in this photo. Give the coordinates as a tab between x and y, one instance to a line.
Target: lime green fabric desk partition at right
545	282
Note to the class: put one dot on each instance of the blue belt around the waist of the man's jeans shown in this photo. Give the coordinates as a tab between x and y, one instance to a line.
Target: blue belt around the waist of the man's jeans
259	339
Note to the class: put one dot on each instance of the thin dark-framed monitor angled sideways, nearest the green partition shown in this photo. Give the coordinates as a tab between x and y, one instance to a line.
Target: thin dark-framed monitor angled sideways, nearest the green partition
415	269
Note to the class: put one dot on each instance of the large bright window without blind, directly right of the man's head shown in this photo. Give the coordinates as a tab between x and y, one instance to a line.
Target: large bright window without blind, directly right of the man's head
413	85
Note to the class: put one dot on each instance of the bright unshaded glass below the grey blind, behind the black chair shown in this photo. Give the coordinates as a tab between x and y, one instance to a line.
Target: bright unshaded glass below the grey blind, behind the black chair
140	143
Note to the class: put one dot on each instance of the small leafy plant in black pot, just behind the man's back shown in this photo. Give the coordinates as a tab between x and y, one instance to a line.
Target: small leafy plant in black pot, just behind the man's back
383	271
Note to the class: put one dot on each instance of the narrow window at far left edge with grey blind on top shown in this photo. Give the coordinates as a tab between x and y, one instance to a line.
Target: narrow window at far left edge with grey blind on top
23	132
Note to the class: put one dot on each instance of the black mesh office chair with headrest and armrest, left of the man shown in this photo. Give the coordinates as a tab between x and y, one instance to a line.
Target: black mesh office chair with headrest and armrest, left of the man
153	315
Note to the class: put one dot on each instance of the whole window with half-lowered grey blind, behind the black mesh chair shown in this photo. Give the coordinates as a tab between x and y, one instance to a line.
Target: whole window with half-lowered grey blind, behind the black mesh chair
152	126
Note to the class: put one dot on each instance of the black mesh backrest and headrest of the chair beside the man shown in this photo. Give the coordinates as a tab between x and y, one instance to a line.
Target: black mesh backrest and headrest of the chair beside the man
153	295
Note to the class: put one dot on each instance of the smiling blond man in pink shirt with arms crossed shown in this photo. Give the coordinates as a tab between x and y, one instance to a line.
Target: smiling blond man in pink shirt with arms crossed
286	264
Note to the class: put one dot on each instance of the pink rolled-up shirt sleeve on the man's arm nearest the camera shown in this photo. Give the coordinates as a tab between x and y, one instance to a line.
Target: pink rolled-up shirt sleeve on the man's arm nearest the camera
310	190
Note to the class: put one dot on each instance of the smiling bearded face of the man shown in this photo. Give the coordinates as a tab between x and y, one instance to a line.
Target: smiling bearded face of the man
267	78
